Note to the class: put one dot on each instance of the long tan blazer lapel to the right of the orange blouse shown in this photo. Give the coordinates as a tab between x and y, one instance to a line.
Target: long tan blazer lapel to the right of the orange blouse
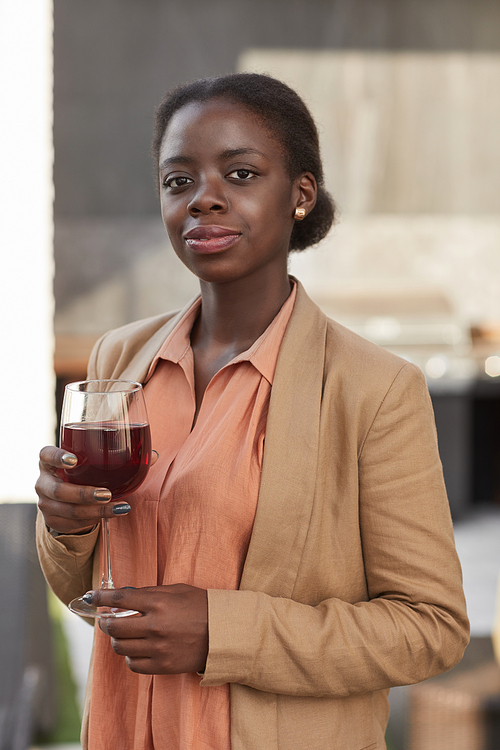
290	455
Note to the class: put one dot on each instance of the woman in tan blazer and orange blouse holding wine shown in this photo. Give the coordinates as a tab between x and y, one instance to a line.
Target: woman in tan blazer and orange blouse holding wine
291	549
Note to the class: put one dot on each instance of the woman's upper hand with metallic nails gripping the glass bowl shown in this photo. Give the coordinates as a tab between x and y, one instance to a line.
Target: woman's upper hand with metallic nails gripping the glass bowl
71	508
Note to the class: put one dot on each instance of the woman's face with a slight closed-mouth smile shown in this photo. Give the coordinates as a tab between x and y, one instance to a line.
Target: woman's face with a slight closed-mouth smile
227	200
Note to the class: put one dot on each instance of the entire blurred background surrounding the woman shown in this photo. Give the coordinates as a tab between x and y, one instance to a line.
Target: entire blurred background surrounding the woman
406	94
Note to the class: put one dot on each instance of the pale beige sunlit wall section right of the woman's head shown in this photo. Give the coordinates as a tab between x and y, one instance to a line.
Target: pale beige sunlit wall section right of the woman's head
412	157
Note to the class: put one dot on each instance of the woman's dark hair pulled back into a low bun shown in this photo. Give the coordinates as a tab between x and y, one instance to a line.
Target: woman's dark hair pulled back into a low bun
287	118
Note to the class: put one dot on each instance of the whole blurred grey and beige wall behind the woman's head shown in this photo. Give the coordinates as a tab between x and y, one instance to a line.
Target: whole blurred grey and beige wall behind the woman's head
114	60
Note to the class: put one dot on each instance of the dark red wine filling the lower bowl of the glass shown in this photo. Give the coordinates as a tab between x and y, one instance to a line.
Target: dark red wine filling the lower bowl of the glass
109	455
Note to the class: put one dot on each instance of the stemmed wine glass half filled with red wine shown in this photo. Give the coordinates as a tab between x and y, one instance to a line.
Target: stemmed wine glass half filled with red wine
105	424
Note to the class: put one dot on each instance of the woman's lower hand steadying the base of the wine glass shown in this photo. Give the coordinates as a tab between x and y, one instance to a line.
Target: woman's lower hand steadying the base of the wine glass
170	637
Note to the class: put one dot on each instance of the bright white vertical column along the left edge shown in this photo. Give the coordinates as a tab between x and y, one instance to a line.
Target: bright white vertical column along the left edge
27	415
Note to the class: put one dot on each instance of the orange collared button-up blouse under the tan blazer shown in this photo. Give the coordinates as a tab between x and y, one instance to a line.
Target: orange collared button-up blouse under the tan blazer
191	522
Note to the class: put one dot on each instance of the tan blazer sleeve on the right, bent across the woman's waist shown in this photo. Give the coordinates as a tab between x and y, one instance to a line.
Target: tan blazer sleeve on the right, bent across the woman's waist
414	623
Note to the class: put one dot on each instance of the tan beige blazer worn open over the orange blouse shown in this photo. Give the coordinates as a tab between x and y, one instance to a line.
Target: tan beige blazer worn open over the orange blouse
351	583
